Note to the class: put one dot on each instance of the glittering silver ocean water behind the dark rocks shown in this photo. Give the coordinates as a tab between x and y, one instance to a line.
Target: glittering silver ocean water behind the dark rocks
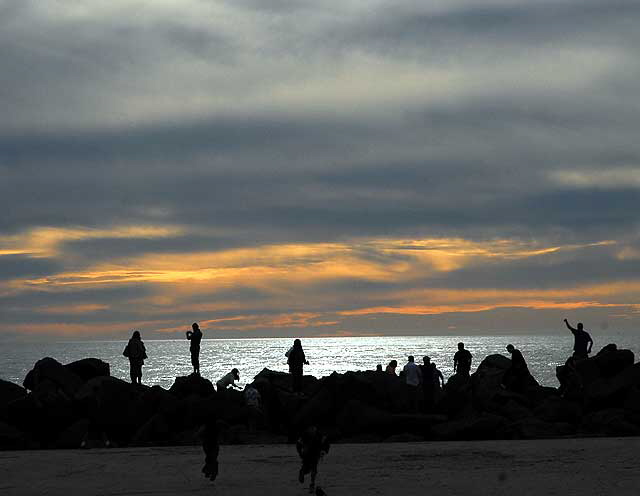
170	358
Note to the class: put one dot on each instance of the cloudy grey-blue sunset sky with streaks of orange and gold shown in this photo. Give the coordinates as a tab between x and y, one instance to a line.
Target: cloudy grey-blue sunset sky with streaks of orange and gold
305	168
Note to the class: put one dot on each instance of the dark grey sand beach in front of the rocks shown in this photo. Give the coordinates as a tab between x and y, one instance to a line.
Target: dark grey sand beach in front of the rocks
518	468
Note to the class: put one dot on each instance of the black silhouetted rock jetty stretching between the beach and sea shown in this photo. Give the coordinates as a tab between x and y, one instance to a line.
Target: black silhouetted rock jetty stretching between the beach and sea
80	404
